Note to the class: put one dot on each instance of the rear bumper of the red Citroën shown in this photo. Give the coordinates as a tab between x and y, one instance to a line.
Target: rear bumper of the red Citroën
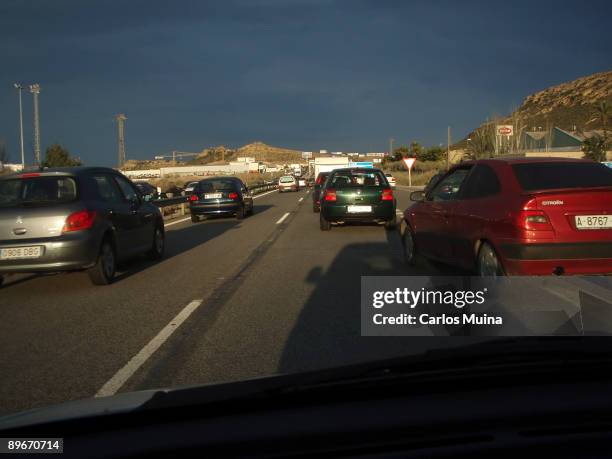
558	258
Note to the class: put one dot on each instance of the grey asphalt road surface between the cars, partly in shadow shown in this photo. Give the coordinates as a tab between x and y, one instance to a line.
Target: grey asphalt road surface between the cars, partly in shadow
266	295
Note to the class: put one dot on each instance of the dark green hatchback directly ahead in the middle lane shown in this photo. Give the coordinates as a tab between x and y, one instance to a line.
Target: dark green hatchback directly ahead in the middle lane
357	195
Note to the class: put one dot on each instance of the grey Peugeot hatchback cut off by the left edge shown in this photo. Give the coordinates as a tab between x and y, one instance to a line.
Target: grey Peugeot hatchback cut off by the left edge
82	218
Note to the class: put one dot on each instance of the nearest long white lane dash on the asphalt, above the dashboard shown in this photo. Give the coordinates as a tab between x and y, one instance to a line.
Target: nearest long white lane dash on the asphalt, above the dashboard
120	378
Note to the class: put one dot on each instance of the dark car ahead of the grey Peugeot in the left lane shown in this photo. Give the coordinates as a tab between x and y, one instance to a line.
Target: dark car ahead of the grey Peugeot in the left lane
220	196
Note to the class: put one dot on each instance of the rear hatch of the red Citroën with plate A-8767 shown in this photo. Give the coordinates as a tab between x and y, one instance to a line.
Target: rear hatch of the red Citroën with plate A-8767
575	198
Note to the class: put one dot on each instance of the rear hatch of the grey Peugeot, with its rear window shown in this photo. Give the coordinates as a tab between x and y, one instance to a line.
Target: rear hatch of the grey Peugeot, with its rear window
36	205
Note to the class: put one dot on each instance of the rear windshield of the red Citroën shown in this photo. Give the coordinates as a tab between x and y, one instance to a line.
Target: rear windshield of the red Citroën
554	175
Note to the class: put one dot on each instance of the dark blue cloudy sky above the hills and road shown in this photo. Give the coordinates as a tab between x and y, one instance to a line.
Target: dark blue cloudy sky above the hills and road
305	74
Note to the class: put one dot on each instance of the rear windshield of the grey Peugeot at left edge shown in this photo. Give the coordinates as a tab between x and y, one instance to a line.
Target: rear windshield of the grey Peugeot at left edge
37	191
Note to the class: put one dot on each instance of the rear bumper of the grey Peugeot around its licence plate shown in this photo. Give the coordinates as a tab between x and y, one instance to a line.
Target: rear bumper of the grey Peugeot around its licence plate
78	250
